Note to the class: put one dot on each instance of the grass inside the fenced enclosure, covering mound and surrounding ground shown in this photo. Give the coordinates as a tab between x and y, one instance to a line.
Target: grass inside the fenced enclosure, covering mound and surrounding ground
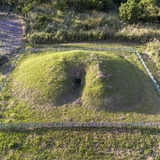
115	87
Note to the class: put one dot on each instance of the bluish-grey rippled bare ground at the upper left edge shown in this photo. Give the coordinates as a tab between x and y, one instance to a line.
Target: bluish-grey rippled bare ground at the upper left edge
10	35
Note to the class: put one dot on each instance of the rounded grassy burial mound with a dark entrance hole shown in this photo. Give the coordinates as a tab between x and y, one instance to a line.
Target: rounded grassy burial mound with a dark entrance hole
100	80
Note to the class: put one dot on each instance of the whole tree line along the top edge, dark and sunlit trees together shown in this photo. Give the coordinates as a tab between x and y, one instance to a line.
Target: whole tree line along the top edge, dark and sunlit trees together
131	11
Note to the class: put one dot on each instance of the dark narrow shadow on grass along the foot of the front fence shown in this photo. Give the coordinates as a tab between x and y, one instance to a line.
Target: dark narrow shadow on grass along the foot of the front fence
113	130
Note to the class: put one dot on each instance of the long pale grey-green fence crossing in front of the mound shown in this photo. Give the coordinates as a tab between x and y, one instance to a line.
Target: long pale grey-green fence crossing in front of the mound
77	125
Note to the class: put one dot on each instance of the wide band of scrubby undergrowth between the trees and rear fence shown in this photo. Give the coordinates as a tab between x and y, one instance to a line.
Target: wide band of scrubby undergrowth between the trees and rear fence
71	26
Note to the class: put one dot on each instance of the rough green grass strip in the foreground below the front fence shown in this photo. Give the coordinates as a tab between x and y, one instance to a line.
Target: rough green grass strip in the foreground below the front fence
89	143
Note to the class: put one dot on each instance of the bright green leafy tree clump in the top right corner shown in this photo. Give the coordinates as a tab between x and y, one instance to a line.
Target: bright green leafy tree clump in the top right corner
140	10
